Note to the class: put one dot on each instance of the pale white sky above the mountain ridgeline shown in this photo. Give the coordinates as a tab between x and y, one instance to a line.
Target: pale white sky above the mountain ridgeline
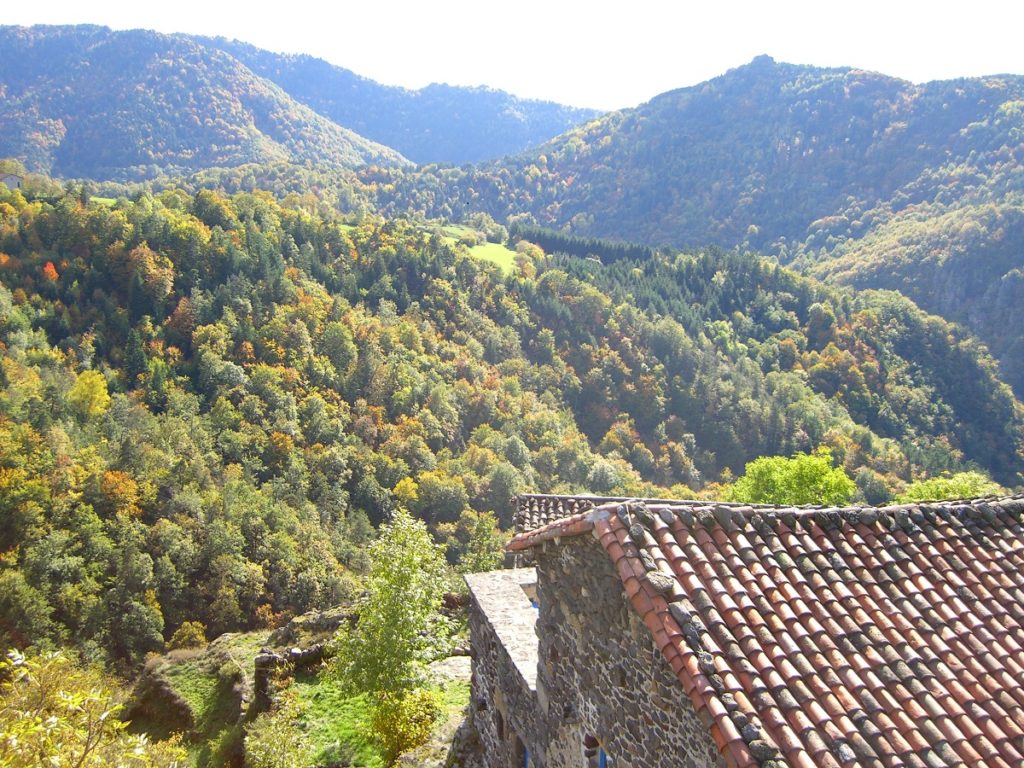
588	54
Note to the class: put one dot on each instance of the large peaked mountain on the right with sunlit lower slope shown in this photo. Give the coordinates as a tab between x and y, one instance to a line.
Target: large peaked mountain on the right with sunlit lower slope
850	176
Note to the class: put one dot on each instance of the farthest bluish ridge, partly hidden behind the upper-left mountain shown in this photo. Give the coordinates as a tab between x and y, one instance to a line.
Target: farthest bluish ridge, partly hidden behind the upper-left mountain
437	124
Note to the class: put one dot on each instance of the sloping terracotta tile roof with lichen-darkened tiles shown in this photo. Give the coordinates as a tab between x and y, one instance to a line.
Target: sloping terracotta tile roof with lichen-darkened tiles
833	637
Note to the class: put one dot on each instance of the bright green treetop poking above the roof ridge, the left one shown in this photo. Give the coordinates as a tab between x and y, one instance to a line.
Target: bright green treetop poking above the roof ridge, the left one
806	479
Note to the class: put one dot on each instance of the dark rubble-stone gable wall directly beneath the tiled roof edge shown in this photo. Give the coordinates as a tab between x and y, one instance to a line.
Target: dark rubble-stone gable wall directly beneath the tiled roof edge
602	680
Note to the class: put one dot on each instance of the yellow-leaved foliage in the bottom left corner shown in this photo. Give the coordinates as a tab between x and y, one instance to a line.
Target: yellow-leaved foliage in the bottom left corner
56	713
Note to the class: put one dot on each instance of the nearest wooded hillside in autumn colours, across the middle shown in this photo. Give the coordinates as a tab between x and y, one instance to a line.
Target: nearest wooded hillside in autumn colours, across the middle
208	402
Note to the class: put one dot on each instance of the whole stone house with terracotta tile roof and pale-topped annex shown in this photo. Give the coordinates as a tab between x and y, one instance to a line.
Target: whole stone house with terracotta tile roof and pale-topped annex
661	633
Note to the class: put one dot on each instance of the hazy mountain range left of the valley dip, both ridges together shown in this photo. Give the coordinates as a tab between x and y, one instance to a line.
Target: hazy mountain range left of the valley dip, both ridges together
90	103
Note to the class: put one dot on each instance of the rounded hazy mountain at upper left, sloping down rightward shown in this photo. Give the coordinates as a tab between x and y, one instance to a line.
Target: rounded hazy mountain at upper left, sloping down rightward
86	102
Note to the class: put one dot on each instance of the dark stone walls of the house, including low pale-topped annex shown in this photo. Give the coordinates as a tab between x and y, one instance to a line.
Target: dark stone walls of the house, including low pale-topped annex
588	678
